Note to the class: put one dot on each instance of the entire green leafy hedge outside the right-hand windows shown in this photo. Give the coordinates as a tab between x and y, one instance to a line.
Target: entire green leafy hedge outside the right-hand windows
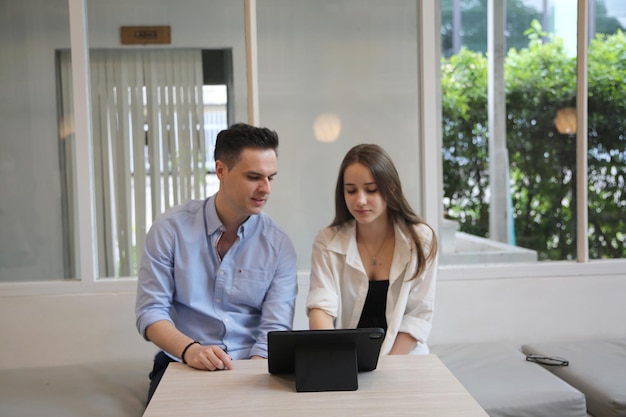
540	80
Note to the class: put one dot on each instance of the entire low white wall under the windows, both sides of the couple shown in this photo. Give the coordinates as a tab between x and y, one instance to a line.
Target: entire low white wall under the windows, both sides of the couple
480	306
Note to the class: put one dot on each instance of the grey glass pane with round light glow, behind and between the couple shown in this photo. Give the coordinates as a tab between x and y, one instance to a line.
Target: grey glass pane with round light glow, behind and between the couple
333	74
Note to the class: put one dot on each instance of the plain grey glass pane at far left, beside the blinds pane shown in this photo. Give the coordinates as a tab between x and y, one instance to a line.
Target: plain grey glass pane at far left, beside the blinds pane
33	144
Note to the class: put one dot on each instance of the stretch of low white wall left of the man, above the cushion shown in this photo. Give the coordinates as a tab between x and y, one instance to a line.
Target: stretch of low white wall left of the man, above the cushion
51	330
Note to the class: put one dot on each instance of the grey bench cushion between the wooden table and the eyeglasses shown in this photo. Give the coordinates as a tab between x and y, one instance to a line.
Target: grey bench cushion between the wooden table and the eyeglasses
498	376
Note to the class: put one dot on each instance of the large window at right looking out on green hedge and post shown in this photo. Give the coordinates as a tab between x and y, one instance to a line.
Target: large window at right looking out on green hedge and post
539	139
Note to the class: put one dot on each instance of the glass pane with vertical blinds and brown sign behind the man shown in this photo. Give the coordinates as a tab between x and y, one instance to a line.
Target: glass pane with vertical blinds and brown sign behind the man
159	95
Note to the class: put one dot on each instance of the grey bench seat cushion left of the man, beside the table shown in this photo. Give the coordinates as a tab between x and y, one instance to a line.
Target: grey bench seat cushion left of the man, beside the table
115	389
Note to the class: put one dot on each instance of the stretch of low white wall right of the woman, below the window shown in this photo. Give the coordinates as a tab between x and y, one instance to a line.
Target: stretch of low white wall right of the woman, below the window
556	302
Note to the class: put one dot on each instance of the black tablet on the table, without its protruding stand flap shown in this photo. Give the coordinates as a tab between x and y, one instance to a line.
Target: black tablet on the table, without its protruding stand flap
283	345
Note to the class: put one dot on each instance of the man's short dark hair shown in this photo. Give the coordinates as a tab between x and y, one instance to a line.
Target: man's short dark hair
230	142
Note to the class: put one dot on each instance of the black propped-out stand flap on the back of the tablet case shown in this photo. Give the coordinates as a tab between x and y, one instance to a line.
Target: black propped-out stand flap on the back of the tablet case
326	368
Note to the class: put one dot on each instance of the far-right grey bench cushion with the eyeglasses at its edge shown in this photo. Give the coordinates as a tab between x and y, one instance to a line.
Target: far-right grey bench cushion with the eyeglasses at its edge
596	367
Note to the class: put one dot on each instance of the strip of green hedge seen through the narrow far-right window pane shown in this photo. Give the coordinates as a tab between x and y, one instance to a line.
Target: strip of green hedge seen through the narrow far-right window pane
607	145
